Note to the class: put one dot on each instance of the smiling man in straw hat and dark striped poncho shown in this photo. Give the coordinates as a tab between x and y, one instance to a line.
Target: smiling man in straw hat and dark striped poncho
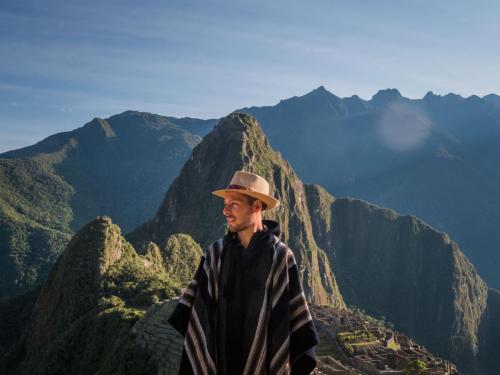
245	312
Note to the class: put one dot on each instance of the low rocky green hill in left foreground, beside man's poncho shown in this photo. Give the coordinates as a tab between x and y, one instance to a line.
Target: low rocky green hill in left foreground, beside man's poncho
81	320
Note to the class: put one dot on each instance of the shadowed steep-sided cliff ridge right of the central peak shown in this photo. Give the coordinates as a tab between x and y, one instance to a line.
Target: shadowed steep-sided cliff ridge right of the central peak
399	267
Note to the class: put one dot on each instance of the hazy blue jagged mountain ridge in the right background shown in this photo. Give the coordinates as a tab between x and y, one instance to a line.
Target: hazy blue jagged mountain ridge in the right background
435	158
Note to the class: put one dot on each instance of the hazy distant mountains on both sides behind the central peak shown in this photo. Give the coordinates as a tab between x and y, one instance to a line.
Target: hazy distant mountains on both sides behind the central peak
432	157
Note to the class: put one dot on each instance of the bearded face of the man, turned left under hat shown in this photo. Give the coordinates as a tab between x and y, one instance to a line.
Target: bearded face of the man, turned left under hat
239	213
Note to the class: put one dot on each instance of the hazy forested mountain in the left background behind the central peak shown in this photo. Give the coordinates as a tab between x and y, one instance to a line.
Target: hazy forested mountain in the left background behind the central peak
49	190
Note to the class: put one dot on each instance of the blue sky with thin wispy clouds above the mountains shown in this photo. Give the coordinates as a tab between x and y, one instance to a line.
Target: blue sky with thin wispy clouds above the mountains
65	62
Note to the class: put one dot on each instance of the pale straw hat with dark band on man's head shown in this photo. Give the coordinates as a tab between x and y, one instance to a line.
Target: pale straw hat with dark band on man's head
250	184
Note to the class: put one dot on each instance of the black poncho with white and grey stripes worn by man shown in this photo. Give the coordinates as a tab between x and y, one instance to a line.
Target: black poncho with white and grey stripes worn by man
283	335
